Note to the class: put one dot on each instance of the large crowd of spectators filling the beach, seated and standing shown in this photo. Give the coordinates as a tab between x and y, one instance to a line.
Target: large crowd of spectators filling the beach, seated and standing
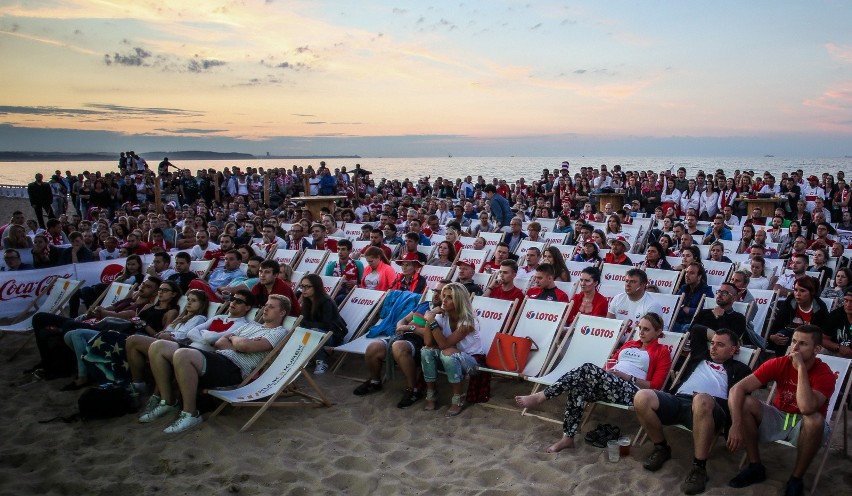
221	217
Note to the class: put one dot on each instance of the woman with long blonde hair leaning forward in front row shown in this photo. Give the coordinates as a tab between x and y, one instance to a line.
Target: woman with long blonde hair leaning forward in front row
453	342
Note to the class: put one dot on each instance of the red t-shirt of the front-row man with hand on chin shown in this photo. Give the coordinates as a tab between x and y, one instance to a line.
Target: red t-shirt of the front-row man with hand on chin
786	376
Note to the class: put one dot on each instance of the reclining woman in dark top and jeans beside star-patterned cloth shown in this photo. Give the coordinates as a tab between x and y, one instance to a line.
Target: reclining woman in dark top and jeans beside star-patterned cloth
108	350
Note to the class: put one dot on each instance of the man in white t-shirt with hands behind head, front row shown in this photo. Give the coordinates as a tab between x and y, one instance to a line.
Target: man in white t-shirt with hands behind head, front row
698	401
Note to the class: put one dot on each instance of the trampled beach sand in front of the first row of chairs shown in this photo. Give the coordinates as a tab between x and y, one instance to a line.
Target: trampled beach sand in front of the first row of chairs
360	445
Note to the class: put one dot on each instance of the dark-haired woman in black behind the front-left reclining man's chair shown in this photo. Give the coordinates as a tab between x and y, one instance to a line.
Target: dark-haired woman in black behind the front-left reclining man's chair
320	312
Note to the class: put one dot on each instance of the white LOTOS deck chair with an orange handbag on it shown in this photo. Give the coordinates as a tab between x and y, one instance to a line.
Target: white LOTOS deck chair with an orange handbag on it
542	322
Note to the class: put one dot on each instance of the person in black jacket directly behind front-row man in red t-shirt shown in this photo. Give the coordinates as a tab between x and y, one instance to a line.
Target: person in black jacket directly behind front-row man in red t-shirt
803	308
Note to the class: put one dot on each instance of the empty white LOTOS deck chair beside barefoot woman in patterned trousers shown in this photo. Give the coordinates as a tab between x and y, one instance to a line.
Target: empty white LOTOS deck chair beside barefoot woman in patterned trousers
592	340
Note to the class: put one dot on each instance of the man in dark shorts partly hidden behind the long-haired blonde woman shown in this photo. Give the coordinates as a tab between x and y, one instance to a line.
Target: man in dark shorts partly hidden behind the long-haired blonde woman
405	347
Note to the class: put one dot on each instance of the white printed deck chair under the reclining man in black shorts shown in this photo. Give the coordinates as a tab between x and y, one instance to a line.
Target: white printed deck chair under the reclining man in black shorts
289	362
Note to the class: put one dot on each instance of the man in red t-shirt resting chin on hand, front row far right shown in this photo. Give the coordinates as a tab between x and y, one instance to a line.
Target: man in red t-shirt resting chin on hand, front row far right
797	413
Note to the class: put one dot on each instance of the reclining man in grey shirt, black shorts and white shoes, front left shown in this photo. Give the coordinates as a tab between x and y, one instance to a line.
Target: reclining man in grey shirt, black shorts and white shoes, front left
235	357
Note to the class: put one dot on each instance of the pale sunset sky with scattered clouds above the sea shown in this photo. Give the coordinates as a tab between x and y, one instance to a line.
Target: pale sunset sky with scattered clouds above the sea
427	78
